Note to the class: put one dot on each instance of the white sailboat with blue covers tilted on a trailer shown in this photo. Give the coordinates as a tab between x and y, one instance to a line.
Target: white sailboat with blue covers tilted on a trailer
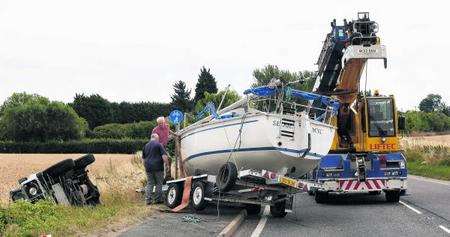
269	129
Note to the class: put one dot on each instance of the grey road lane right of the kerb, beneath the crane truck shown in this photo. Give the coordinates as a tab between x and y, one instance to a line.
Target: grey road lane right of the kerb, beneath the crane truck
424	211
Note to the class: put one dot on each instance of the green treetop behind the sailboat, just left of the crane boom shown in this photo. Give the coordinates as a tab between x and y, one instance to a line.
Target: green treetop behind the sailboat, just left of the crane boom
264	75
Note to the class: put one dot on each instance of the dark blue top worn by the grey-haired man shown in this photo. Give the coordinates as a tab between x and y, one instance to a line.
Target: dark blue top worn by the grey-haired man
152	155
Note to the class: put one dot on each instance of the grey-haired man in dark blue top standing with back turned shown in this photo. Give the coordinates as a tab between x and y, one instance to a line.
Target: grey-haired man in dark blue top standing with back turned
154	157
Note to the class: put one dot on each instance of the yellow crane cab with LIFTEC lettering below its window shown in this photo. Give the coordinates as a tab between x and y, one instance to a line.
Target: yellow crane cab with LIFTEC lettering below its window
370	124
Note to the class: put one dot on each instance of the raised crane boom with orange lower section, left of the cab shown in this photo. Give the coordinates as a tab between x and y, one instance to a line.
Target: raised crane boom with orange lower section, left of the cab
344	55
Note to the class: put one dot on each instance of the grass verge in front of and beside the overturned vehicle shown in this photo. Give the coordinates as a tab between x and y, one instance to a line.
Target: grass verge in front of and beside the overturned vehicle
121	205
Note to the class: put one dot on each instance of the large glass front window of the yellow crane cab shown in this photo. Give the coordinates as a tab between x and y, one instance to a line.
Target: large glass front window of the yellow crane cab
381	117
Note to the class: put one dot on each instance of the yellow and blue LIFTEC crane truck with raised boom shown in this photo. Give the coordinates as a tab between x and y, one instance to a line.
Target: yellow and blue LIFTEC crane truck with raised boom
365	156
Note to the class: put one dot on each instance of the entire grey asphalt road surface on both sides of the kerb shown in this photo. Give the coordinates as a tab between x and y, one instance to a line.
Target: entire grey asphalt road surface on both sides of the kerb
424	211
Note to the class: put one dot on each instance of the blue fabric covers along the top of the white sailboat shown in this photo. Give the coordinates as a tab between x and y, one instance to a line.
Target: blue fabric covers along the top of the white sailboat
269	91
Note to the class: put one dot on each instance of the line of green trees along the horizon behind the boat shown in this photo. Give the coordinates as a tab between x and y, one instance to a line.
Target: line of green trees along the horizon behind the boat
31	117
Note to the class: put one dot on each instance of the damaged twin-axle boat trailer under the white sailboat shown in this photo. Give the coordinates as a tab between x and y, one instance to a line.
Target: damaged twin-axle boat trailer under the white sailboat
248	188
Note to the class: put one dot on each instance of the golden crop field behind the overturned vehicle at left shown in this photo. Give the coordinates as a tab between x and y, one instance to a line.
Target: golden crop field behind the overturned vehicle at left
15	166
